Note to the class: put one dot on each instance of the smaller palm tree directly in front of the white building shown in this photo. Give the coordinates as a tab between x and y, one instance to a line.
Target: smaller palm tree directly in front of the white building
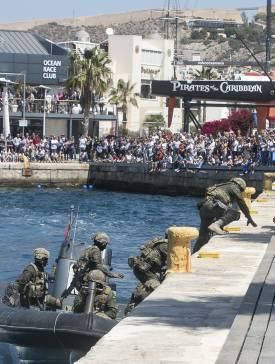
122	96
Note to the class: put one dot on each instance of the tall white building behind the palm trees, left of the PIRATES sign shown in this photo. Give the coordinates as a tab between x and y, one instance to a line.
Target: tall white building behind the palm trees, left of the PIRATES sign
140	61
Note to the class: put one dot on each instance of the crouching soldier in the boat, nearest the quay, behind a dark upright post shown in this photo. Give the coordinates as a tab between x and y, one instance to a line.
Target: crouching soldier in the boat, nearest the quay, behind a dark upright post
104	303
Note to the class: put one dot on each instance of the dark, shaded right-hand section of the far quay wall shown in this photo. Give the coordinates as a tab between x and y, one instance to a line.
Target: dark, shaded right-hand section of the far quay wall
136	178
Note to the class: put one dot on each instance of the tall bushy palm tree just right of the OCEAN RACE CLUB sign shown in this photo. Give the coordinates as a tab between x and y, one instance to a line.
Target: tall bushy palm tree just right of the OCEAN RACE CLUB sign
92	76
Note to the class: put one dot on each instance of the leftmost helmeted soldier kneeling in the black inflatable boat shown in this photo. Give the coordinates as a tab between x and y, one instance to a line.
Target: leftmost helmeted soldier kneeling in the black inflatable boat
30	289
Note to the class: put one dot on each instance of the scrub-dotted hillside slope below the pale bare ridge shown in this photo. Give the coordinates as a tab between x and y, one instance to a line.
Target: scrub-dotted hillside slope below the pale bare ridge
211	48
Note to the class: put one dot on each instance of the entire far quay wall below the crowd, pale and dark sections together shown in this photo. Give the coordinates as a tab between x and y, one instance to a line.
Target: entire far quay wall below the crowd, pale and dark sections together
122	177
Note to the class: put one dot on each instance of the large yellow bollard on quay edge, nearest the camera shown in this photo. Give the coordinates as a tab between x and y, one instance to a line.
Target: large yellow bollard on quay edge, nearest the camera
179	248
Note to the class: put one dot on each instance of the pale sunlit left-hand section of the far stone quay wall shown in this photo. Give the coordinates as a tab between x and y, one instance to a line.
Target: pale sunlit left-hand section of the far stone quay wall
50	174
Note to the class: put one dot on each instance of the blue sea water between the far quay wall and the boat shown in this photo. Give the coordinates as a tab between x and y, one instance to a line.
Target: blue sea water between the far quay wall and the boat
36	217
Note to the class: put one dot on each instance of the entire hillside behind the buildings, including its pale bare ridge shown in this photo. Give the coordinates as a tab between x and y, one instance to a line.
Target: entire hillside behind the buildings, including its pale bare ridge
211	45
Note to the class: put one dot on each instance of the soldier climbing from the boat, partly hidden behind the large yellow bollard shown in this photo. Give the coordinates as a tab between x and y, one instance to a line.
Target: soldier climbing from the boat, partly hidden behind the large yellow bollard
148	269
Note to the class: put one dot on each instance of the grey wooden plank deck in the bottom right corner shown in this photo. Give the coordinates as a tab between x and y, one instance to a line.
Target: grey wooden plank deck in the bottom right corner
251	338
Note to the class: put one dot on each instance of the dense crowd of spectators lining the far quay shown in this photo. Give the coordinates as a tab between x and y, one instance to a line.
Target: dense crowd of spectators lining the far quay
161	150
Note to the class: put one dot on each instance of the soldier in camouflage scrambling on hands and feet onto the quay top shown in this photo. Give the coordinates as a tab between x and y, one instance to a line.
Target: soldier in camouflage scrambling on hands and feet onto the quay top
216	211
